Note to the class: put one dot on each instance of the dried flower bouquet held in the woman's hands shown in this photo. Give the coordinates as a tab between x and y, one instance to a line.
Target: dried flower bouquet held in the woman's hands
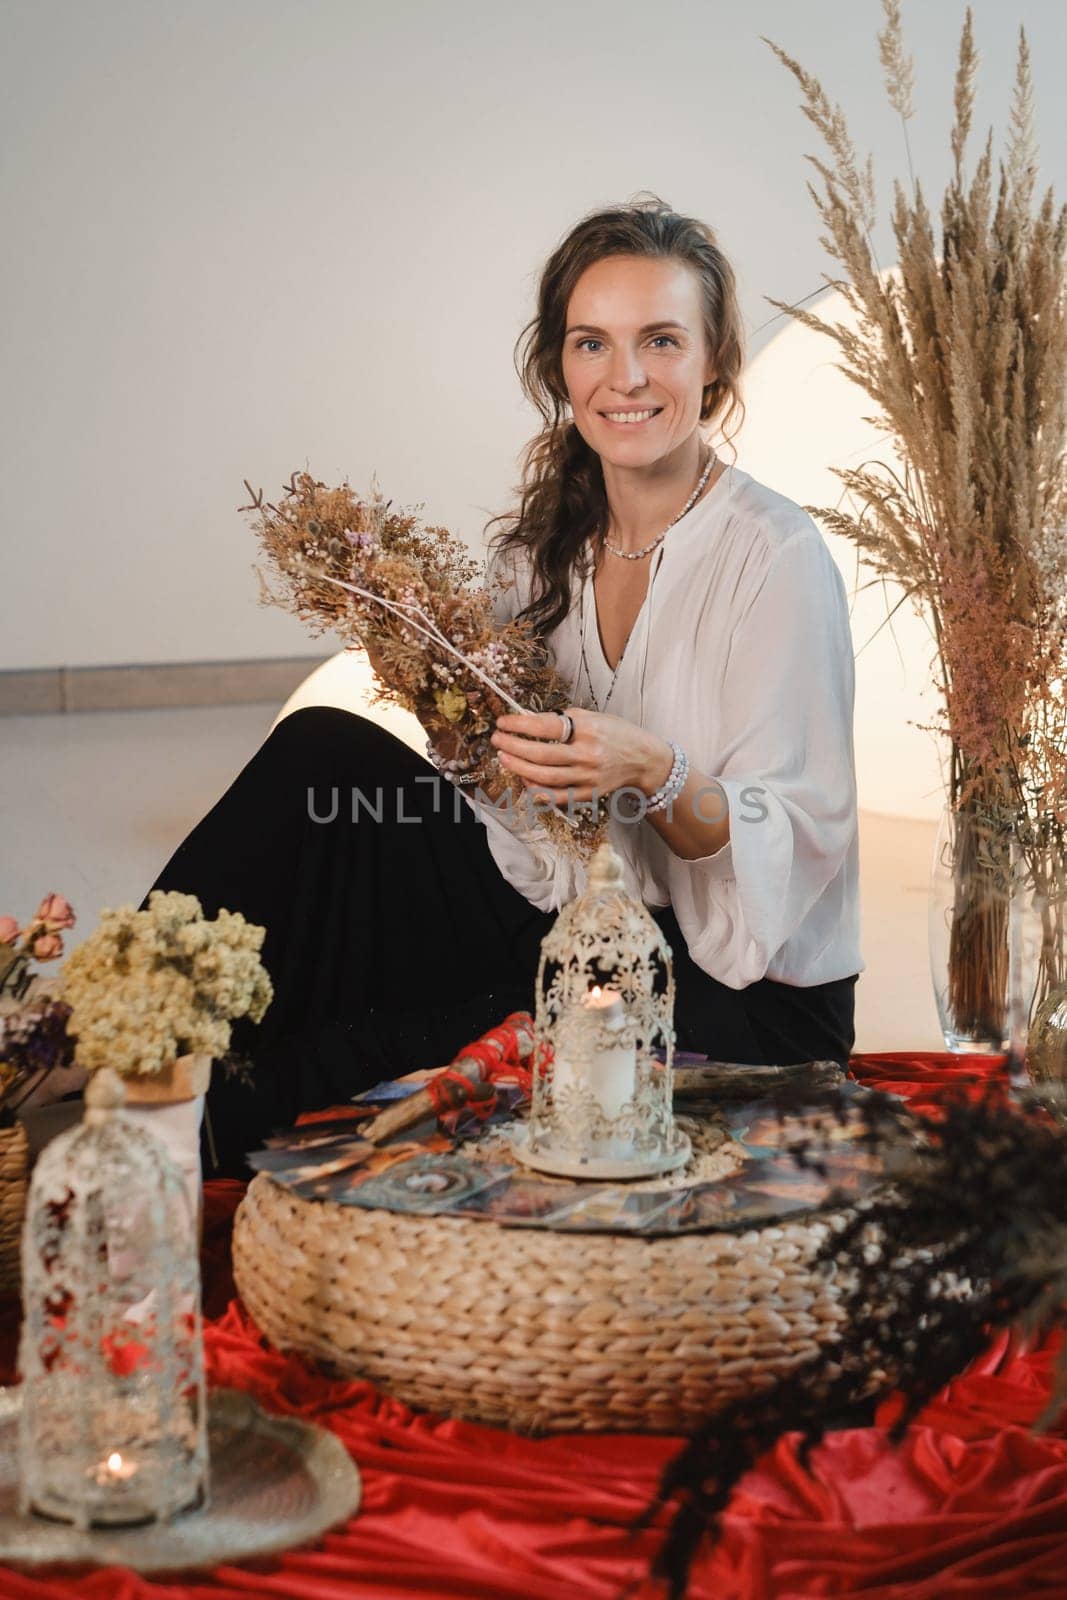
406	593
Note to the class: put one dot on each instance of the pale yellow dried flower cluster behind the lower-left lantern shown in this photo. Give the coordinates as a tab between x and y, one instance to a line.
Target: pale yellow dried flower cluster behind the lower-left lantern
150	986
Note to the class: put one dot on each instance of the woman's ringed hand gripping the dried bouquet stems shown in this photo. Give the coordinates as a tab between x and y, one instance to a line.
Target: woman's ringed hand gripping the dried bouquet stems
605	754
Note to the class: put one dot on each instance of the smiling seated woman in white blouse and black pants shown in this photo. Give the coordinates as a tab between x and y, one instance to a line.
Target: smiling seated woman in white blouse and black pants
703	628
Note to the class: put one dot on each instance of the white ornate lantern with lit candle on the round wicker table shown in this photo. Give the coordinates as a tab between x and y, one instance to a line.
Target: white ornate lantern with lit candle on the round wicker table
602	1095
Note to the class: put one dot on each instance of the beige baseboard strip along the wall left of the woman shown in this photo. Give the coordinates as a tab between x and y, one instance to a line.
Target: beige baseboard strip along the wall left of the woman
42	690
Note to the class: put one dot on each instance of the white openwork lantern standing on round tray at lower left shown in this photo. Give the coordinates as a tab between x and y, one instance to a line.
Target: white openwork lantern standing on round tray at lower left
113	1426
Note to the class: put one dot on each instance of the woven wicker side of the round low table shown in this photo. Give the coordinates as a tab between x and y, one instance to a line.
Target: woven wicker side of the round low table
529	1329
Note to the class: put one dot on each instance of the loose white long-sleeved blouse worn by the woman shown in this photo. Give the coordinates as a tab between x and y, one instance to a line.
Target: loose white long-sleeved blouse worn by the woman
743	655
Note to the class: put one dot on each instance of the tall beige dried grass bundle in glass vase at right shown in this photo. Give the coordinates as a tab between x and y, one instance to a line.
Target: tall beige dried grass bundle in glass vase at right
964	350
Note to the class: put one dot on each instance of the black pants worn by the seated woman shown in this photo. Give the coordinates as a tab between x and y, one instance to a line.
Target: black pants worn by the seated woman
393	938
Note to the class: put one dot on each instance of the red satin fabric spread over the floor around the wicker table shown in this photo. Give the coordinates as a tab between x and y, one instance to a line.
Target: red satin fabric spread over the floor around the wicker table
972	1505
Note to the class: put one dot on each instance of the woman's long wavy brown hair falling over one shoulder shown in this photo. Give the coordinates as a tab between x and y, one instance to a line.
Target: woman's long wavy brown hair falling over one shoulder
562	511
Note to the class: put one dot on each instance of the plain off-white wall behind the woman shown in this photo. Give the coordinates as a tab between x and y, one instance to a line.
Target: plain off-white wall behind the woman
247	236
